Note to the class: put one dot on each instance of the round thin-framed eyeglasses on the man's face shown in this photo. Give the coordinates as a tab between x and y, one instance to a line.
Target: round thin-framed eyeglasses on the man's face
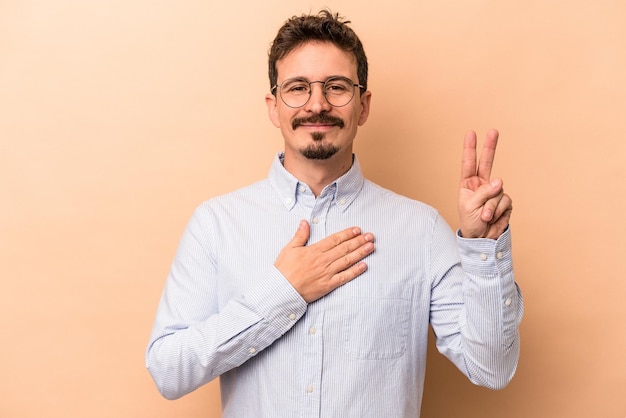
296	92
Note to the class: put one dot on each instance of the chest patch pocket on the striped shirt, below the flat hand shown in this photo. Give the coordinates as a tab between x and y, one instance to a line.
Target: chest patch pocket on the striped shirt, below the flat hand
377	326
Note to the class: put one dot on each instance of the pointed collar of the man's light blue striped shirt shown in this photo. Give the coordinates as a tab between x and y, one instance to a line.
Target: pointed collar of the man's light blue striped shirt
346	188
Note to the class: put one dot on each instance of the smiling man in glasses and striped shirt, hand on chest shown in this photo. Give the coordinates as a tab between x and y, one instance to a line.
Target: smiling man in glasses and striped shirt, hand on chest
280	289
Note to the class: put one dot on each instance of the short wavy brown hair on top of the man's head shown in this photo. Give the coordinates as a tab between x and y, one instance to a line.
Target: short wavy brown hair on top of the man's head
323	27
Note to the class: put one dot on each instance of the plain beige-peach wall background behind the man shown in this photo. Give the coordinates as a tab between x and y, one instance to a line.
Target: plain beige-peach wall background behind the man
118	117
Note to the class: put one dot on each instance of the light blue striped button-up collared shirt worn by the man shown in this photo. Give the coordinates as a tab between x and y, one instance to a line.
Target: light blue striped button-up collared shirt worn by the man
359	351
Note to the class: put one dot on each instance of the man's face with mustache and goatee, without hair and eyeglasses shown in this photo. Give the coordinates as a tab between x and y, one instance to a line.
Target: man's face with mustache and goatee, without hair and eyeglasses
318	130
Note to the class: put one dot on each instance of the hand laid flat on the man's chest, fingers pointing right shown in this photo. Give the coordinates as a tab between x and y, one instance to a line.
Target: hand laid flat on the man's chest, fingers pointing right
318	269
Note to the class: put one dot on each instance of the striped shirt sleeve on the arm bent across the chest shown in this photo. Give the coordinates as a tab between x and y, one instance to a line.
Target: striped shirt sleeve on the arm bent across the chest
193	341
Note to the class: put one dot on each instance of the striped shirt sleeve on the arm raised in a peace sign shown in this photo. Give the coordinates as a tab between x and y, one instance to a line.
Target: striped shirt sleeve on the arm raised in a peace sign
476	306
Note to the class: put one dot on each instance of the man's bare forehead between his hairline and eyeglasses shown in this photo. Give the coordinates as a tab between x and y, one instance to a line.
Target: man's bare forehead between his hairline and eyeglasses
317	61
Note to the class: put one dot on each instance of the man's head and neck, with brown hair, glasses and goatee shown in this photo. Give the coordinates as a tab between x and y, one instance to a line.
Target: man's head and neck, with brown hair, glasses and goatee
318	97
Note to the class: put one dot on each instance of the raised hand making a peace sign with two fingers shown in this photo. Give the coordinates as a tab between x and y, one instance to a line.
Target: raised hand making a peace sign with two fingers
484	208
